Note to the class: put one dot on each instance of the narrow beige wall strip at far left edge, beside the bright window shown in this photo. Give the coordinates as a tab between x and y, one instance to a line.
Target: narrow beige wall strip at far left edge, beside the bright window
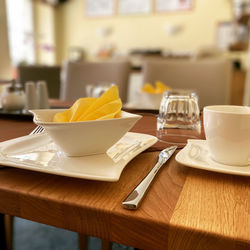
5	64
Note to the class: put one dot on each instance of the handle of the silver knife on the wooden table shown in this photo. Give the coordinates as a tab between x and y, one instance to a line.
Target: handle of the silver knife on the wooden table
135	198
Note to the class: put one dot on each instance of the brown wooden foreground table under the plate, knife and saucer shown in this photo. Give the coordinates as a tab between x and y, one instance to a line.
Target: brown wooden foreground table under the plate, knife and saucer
184	208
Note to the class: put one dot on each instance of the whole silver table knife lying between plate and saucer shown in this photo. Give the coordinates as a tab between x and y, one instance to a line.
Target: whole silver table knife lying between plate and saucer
134	199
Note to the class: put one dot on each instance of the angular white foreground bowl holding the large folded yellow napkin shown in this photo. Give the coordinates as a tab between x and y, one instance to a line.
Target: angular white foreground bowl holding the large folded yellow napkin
86	137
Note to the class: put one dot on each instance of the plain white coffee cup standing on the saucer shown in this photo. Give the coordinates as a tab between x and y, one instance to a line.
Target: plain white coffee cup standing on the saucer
227	130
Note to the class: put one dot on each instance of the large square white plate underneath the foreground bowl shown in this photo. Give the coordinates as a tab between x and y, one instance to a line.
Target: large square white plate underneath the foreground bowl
39	153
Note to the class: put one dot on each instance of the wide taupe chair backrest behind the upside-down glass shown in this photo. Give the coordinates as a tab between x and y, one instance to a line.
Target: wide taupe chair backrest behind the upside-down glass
210	78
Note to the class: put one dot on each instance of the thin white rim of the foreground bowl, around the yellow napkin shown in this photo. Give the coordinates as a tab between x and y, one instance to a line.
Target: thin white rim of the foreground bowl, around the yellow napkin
132	115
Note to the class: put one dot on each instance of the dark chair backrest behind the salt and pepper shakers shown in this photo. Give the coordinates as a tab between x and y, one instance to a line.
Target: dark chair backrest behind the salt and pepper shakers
50	74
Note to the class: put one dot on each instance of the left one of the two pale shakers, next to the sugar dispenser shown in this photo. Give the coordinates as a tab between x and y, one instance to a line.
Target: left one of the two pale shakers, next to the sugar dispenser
31	96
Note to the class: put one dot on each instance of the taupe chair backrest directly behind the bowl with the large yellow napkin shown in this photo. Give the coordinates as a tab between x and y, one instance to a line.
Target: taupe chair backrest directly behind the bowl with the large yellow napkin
75	76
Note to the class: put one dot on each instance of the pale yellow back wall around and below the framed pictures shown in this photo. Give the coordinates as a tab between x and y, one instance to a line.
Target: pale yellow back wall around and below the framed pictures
74	28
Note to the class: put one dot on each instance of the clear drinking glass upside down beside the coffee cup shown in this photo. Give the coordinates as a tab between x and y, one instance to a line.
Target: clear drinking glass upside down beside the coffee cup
179	117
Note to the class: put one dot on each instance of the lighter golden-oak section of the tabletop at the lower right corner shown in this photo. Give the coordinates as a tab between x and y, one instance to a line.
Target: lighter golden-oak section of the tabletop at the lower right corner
214	203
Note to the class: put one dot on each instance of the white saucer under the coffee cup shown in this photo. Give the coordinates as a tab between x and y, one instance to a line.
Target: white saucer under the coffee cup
196	155
